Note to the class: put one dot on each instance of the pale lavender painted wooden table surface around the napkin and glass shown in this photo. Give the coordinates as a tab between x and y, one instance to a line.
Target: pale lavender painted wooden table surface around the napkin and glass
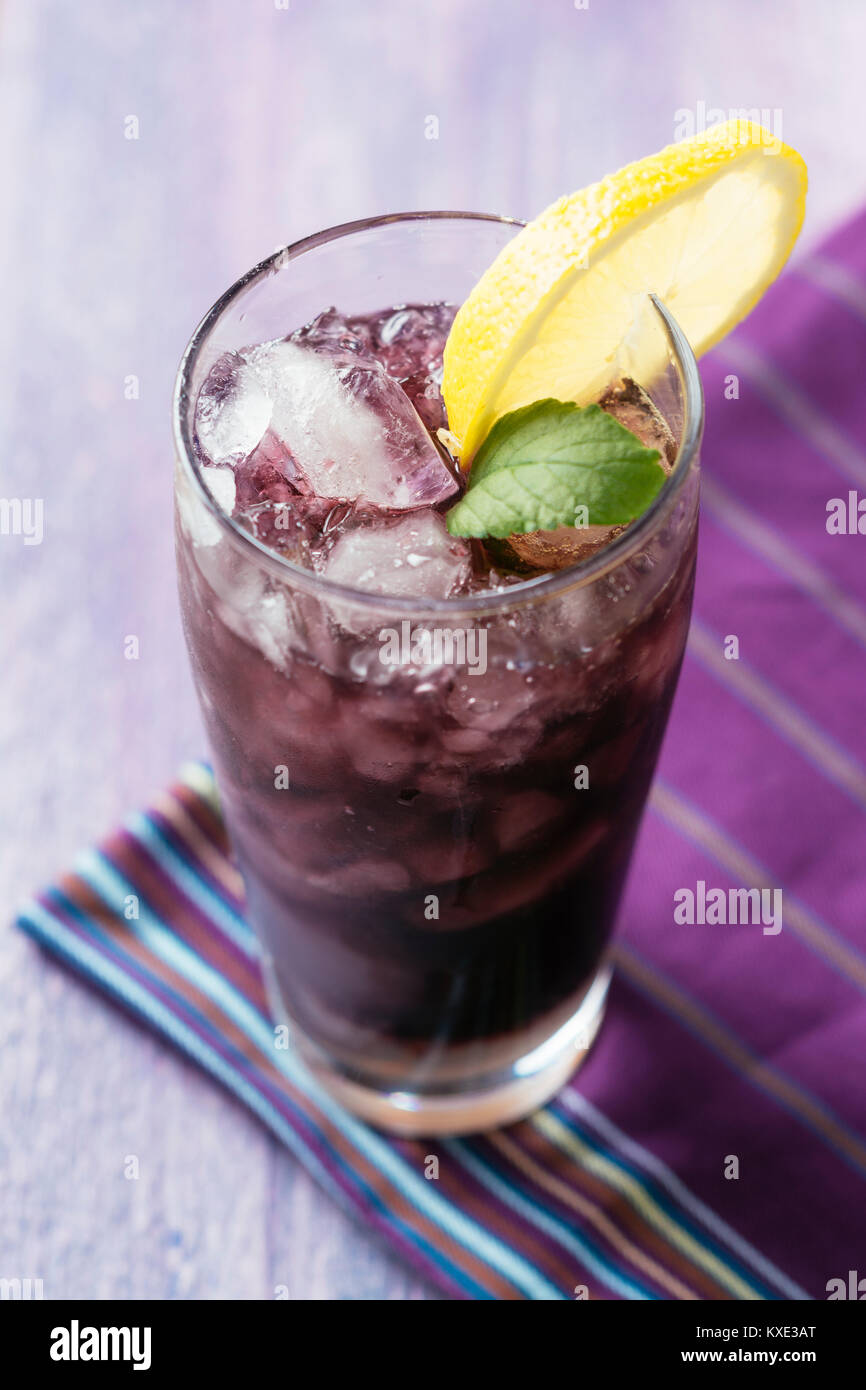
256	124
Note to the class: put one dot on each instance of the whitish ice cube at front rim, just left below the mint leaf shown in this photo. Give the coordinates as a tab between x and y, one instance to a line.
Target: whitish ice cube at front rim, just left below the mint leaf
412	558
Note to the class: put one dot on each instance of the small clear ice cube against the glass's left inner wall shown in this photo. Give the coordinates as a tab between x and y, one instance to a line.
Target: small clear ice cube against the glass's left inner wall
233	411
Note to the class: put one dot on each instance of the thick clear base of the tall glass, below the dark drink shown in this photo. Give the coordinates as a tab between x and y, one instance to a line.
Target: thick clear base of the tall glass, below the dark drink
472	1104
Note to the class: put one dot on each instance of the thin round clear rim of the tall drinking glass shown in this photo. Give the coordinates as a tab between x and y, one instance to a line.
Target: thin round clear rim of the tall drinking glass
523	593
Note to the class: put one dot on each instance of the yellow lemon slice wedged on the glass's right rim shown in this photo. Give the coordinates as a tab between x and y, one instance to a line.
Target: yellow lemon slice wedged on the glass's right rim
707	224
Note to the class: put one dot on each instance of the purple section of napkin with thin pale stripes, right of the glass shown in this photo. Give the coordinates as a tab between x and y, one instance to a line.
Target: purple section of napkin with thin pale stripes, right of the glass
765	771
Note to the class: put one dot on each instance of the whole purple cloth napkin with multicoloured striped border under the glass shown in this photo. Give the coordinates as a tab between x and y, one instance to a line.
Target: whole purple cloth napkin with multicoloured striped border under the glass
712	1146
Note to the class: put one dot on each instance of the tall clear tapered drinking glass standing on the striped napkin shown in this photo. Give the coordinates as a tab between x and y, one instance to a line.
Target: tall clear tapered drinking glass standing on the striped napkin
433	803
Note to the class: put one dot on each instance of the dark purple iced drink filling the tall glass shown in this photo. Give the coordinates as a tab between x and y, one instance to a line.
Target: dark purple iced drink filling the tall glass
434	775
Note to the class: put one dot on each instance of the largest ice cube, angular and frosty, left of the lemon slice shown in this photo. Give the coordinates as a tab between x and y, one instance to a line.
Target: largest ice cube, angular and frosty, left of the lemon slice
351	430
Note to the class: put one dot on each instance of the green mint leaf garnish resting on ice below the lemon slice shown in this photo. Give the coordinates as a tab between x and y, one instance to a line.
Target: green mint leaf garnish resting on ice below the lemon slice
539	465
